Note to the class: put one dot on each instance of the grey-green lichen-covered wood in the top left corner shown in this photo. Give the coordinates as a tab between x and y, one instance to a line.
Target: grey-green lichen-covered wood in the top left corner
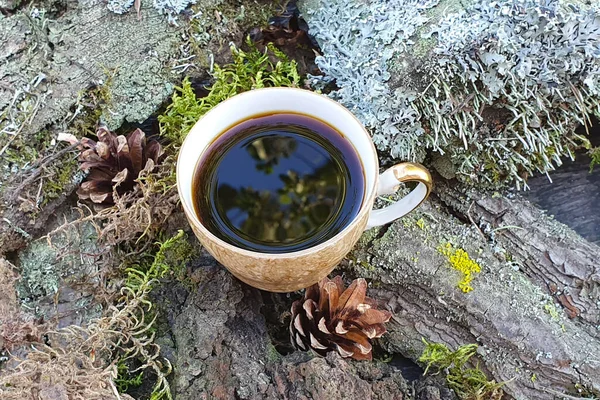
63	65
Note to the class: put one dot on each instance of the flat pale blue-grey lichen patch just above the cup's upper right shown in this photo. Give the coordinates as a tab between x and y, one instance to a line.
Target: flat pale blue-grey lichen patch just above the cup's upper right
357	41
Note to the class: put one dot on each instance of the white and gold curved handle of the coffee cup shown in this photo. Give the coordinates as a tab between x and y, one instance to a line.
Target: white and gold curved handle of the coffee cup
389	183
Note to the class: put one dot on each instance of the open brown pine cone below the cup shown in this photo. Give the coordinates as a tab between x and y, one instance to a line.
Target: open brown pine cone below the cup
333	319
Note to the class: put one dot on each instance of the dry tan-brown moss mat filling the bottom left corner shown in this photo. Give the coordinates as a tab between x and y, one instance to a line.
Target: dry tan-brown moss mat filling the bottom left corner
81	363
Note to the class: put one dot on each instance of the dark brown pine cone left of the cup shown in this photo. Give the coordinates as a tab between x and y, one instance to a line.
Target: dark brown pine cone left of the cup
115	161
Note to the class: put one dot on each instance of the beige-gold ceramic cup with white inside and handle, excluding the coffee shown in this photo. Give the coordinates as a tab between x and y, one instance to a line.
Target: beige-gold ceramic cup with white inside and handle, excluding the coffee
286	272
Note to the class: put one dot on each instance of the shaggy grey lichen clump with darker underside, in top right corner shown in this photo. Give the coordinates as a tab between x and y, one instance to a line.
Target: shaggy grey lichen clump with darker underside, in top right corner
514	80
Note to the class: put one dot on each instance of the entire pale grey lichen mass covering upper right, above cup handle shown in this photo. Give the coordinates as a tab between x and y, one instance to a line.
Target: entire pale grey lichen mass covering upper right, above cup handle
499	95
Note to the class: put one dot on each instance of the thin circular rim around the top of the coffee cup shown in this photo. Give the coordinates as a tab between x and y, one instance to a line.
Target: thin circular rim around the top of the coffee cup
365	207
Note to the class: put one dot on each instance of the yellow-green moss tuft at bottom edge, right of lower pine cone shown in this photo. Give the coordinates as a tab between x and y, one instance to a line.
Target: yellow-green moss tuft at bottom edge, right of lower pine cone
467	383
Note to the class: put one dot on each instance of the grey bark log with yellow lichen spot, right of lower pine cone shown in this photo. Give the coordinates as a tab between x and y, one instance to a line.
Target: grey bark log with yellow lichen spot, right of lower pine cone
530	265
